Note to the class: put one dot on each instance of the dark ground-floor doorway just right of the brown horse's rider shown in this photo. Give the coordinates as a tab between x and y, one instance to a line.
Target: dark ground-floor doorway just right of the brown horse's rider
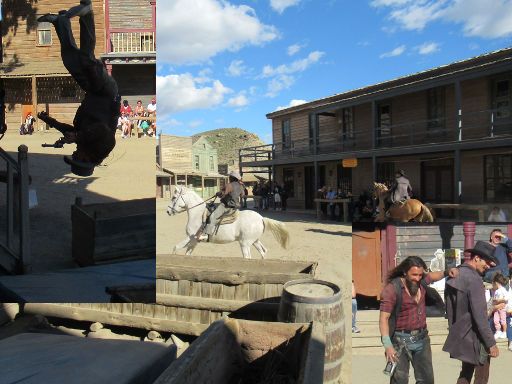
437	181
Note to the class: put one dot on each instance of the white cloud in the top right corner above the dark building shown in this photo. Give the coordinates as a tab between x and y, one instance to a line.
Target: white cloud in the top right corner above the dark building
487	19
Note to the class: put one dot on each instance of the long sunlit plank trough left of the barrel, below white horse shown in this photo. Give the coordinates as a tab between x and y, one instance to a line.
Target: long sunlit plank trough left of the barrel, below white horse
192	292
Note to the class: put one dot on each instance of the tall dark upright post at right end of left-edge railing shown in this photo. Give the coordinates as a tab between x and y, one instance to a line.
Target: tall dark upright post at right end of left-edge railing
24	214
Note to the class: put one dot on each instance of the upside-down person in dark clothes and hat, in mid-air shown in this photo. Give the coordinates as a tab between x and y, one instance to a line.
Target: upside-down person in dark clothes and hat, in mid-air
95	121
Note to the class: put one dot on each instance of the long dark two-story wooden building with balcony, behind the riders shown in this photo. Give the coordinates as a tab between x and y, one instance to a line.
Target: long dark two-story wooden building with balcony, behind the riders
449	128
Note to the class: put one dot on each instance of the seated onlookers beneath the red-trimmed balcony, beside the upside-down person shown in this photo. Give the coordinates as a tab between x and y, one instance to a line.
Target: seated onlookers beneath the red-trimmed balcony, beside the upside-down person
133	118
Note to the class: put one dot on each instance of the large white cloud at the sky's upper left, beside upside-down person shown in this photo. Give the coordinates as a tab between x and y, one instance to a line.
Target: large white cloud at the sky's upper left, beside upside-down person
196	31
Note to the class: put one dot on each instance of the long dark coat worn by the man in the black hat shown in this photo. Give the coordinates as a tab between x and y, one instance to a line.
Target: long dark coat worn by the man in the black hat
466	309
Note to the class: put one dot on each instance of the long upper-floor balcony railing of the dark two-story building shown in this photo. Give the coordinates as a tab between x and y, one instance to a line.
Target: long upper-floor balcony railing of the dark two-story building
473	126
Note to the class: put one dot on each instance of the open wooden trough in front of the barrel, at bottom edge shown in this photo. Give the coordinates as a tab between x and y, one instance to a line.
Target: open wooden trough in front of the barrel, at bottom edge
241	351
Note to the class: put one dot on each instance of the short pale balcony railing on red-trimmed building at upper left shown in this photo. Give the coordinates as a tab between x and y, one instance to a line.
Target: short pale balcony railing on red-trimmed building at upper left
132	42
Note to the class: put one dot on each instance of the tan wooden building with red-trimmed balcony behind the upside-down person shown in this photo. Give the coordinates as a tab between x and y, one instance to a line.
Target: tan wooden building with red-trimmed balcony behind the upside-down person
31	69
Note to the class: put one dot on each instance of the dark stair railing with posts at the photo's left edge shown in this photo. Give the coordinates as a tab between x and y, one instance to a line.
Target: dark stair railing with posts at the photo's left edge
15	244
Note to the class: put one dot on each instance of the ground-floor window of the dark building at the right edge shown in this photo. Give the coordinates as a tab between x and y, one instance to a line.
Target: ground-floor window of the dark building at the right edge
498	178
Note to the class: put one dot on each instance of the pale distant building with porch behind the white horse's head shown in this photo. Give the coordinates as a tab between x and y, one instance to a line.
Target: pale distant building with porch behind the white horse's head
191	162
